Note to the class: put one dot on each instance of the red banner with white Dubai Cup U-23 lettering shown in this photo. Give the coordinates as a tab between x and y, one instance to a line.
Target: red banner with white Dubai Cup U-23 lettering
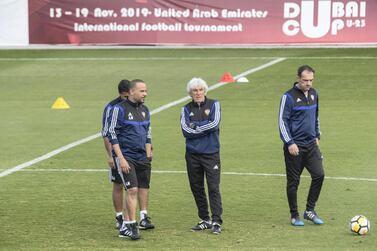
202	22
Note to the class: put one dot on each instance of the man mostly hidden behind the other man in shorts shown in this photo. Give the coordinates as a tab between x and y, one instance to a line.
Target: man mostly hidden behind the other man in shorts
117	194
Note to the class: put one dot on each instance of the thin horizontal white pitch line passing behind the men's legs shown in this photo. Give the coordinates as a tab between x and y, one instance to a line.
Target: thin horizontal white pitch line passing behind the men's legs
184	172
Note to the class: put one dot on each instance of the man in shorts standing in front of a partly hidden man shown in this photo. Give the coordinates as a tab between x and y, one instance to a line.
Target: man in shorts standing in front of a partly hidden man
130	136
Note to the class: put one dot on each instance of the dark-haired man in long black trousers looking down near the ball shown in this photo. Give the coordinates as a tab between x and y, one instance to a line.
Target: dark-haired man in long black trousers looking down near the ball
299	131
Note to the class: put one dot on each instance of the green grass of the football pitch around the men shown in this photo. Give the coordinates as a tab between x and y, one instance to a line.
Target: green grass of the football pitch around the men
46	210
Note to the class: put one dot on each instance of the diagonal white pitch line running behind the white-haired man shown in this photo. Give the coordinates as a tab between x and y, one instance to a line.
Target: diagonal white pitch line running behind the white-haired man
157	110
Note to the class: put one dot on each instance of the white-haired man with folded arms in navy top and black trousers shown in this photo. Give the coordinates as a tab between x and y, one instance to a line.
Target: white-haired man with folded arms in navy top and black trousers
200	121
